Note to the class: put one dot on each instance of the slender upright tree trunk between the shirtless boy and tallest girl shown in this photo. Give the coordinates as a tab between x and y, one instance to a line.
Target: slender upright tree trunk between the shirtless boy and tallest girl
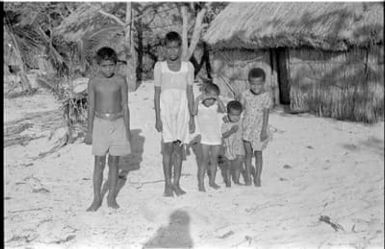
130	50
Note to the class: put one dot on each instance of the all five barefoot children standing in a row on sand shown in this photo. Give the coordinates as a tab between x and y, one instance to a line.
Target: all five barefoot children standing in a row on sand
240	127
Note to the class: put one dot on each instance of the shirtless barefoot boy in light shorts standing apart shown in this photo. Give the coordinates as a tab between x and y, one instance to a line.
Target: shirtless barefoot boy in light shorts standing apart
108	124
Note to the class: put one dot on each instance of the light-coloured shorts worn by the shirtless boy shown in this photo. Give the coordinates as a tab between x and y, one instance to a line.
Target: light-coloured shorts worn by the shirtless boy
109	136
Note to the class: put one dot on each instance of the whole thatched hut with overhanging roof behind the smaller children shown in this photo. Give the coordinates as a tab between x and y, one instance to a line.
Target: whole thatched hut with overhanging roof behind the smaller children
326	58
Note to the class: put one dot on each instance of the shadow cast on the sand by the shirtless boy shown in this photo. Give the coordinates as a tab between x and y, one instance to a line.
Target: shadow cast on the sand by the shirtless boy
128	163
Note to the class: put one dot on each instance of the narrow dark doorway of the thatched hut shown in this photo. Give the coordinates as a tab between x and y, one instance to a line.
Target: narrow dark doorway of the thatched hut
283	75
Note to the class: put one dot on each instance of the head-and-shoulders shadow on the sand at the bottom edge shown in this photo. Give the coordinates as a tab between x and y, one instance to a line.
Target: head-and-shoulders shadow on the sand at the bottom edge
175	235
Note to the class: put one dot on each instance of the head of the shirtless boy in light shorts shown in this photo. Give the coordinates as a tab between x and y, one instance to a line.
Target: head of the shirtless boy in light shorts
106	58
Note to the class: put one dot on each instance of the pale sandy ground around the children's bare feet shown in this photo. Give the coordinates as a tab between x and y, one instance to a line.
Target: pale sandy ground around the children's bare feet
313	167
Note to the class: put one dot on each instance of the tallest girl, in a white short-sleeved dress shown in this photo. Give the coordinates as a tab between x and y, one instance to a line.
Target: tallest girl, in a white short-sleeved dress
173	101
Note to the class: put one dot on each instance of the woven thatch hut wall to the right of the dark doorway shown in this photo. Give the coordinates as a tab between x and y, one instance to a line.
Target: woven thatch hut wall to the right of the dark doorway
347	86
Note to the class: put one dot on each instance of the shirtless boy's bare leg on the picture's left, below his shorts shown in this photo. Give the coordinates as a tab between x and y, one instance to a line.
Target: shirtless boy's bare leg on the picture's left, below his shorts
100	162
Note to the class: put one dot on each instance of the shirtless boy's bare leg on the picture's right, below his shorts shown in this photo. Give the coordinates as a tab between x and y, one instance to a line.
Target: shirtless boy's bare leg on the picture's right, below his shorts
113	171
